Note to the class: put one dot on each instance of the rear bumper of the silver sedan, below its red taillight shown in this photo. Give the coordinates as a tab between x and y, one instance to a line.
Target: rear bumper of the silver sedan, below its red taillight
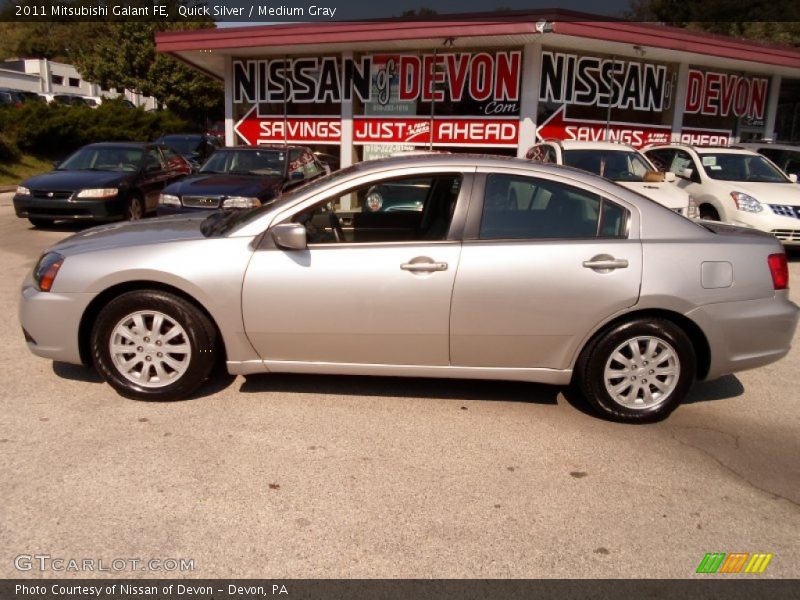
748	334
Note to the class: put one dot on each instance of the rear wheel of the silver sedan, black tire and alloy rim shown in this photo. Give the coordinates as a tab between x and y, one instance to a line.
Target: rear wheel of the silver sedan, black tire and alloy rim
639	408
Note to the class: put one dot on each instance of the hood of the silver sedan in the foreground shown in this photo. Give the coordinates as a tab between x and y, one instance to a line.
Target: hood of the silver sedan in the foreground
136	233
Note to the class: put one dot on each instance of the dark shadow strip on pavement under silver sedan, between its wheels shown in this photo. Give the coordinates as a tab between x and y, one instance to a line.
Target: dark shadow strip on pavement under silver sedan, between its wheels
404	387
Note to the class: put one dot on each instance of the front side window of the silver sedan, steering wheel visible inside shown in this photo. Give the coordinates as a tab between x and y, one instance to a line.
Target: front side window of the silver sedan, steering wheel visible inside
394	210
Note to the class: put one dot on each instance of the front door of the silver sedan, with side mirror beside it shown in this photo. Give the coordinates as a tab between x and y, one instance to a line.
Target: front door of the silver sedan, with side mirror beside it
378	292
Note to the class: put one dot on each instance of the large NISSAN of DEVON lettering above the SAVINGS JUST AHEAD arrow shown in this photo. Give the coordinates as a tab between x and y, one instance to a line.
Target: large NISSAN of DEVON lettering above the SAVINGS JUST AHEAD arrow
479	76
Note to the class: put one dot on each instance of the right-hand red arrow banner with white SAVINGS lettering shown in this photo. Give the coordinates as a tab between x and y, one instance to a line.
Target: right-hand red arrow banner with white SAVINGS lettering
559	127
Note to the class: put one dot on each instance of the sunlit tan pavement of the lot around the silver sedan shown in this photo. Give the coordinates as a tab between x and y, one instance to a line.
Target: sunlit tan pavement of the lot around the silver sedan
301	476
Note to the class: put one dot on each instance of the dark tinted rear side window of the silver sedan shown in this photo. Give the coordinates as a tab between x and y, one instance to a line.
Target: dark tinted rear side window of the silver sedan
518	207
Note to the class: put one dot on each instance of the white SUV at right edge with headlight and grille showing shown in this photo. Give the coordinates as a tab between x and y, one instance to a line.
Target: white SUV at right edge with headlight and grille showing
735	185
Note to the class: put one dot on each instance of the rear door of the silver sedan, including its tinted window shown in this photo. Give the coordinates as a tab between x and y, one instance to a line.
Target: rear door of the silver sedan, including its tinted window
543	263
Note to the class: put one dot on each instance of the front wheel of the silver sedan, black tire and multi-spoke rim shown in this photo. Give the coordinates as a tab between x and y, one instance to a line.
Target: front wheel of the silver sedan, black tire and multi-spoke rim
152	345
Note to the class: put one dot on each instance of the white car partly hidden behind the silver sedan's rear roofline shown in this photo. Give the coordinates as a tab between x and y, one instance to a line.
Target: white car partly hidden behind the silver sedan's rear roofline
620	163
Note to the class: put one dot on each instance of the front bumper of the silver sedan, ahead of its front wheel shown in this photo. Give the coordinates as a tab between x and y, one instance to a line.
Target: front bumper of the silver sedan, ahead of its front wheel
51	322
